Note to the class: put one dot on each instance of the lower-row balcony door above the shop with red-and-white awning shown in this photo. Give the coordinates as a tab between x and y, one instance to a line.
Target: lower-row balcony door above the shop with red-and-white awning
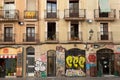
8	34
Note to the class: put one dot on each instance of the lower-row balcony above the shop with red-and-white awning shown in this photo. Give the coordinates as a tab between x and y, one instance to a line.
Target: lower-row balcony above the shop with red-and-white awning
7	38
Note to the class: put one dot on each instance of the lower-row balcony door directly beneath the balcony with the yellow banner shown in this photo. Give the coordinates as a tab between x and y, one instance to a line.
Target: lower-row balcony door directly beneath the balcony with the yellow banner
30	34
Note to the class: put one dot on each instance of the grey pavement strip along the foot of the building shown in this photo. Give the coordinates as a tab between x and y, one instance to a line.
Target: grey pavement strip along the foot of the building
64	78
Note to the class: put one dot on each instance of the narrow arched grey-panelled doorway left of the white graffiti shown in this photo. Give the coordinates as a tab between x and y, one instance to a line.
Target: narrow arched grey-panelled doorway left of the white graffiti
30	60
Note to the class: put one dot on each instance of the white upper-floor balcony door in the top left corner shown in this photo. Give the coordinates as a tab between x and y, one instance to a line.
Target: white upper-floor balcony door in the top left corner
9	8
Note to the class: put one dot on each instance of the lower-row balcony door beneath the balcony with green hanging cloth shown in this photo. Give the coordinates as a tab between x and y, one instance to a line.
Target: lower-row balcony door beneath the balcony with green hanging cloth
104	31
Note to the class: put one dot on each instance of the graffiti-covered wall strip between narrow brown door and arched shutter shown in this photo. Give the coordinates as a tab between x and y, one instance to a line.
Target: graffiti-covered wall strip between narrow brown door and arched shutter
60	60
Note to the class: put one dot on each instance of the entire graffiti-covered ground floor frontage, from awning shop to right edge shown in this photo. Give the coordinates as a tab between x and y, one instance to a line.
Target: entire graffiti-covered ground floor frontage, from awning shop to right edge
60	60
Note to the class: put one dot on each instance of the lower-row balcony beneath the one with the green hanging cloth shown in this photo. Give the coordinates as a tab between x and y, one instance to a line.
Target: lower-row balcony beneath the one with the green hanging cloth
105	36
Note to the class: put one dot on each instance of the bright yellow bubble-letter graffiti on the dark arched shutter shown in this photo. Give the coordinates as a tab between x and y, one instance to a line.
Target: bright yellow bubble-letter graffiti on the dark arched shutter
75	61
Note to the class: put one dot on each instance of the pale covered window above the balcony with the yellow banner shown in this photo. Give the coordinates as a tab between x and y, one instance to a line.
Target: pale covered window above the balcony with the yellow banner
31	5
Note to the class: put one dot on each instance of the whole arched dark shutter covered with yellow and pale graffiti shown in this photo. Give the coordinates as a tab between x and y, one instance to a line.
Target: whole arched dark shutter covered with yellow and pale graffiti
75	62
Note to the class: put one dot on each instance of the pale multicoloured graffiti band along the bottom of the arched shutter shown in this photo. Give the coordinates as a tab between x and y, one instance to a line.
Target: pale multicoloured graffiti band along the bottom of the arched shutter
72	72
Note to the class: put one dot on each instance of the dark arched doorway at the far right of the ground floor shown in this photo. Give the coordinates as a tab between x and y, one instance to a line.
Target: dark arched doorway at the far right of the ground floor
105	61
